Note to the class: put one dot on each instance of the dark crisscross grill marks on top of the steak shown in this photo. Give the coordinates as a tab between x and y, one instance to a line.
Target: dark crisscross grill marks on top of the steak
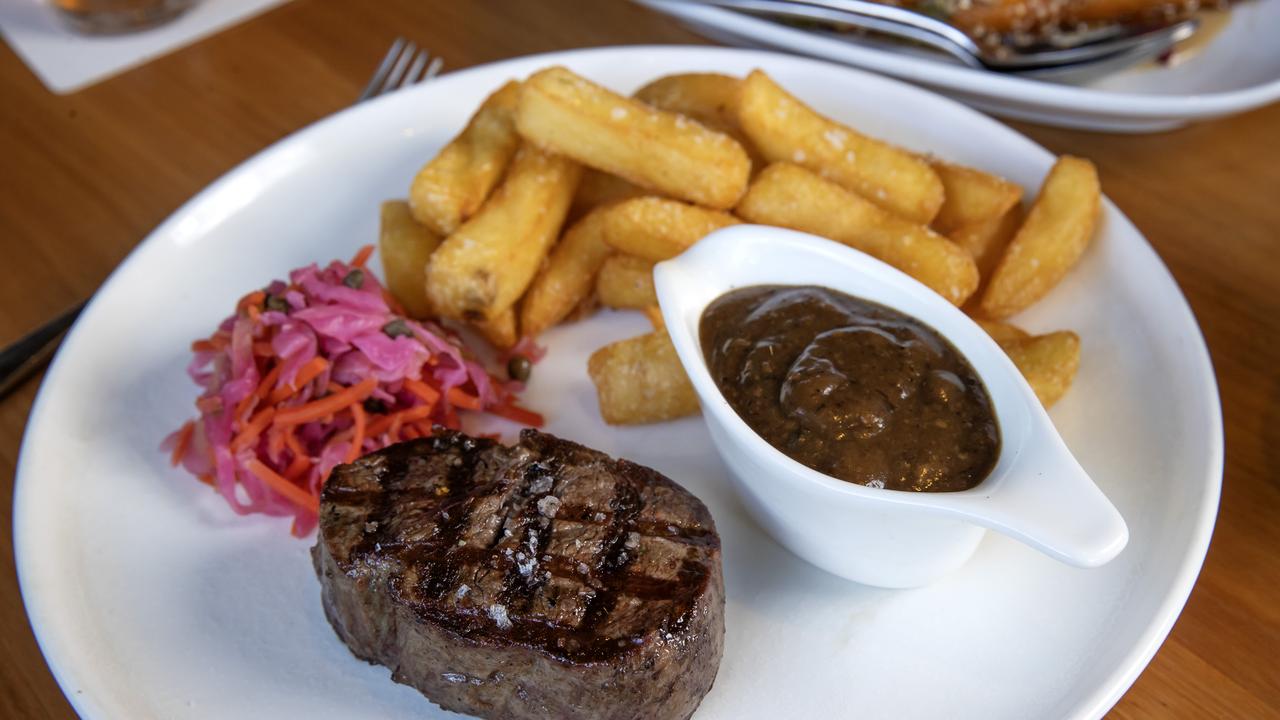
442	560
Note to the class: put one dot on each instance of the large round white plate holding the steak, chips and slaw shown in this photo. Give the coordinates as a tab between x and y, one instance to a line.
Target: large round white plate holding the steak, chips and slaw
150	599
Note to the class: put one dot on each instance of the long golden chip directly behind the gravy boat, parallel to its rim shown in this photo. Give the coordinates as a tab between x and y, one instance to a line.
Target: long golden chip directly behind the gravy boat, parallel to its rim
794	198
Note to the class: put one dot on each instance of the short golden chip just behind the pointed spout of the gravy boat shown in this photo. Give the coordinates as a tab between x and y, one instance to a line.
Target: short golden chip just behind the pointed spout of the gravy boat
657	230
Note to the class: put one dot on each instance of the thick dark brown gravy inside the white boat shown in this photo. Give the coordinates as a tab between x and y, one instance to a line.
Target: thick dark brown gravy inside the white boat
852	389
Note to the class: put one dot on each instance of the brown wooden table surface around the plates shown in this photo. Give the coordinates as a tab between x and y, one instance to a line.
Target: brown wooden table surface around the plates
85	177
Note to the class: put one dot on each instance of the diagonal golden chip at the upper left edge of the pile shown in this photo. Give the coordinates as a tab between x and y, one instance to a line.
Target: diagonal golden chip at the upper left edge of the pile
455	184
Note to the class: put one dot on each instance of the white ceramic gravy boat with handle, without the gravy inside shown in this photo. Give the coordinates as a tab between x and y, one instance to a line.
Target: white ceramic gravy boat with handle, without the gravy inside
1036	494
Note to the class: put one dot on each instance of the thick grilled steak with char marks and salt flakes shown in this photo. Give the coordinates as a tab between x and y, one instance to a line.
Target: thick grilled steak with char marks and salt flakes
538	581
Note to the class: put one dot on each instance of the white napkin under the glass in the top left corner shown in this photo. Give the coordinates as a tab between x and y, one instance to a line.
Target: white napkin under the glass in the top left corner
67	62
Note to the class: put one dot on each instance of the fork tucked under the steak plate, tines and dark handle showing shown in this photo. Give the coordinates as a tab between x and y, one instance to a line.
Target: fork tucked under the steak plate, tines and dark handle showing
404	66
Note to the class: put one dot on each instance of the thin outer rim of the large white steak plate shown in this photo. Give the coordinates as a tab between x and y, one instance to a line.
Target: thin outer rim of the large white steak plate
1094	704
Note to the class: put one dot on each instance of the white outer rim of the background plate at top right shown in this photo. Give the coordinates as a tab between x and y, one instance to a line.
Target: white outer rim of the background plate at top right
1046	97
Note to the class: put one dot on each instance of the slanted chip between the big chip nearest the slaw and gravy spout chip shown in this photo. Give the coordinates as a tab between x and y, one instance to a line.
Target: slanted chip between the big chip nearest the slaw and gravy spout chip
569	276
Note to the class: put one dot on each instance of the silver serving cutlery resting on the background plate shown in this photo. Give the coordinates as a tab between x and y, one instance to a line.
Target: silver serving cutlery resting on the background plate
1092	53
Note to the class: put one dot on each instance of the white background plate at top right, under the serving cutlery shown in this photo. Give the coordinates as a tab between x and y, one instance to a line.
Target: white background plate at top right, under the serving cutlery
1238	71
